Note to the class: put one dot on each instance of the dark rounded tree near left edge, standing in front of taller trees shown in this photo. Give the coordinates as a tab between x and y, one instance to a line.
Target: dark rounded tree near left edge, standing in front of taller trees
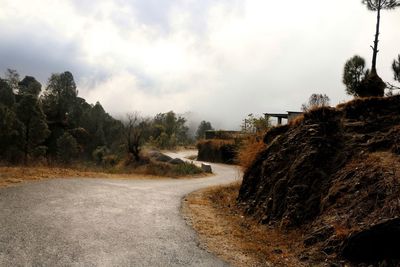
35	131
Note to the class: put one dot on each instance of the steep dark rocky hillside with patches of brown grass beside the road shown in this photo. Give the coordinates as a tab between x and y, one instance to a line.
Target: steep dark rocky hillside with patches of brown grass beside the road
335	174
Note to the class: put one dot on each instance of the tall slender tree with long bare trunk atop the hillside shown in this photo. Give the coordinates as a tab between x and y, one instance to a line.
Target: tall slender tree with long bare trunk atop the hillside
378	5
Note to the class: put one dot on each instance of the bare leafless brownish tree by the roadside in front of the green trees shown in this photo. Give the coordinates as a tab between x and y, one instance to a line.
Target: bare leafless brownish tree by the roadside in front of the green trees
135	127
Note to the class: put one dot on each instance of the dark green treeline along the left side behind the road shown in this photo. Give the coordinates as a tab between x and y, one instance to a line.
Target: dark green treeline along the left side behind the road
56	125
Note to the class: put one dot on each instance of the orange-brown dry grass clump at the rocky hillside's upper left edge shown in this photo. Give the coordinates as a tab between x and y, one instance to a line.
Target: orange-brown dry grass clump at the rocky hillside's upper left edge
249	150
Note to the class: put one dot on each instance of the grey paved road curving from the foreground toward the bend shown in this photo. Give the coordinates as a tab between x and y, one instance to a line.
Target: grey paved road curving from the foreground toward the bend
100	222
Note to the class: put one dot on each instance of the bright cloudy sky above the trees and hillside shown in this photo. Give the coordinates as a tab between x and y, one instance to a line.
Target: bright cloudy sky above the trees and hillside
216	60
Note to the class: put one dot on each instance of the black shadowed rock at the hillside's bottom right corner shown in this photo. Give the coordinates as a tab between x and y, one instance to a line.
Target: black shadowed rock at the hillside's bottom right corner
377	243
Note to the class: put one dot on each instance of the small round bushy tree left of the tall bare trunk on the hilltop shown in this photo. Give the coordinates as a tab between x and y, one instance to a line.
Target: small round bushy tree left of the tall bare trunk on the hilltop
353	74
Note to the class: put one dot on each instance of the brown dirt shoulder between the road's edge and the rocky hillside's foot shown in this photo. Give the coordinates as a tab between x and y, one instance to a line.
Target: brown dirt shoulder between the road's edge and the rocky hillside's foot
237	239
